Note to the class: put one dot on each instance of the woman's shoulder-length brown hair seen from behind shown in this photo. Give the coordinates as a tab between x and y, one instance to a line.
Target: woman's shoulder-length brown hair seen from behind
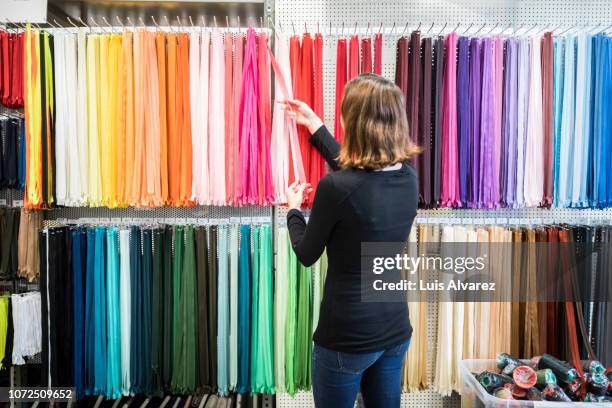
375	124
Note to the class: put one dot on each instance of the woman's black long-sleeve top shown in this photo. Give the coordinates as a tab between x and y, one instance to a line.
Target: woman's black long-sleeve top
352	206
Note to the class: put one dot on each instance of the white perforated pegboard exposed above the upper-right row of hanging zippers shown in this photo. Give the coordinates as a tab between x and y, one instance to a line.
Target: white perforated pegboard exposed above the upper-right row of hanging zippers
319	14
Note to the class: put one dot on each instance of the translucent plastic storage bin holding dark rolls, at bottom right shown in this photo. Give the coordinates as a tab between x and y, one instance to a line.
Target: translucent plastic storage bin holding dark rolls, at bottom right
474	395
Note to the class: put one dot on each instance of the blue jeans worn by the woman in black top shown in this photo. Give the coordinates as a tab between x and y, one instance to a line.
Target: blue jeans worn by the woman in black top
338	377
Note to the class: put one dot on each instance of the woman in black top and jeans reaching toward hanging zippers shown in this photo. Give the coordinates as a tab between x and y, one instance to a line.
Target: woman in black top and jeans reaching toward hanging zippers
371	196
